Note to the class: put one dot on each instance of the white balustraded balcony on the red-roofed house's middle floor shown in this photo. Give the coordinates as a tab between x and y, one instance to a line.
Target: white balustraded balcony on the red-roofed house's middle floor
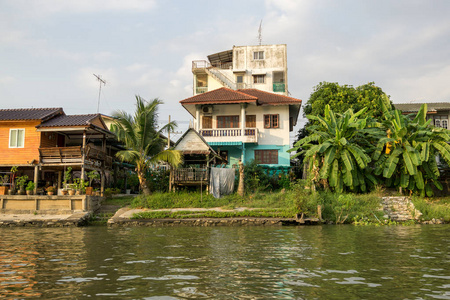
230	135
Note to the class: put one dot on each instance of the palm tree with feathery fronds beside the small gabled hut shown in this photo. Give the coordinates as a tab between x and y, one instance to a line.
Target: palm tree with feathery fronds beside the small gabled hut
143	142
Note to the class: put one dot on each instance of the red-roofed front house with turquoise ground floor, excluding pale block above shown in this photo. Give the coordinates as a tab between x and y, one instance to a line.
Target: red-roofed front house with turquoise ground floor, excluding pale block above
245	124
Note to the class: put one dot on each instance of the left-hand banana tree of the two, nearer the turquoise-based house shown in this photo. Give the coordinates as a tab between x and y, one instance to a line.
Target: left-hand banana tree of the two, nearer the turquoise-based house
333	151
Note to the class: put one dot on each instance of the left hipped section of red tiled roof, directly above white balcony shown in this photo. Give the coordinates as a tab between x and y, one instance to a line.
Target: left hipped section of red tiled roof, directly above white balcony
220	96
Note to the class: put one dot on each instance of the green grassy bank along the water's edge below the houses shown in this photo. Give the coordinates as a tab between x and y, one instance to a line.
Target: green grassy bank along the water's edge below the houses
334	207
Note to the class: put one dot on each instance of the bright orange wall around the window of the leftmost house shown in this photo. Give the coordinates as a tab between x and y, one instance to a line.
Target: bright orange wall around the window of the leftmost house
18	156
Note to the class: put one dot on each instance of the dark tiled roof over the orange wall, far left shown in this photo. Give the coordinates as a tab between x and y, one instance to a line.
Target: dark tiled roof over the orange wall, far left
22	114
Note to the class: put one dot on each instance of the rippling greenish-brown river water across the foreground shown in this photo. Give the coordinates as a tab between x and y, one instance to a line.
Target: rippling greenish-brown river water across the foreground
308	262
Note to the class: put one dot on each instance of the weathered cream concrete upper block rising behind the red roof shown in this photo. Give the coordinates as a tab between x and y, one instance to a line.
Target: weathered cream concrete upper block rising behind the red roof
262	67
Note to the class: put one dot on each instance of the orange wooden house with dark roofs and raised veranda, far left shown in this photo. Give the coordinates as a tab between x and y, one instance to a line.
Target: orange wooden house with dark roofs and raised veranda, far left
43	142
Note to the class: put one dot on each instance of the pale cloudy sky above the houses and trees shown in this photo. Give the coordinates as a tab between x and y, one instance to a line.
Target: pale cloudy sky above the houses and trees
50	49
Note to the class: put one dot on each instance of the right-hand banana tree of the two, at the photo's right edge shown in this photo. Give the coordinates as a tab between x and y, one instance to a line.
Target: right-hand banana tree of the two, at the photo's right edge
406	157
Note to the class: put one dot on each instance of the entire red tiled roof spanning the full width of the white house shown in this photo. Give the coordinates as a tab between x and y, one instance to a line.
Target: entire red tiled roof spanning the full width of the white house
227	96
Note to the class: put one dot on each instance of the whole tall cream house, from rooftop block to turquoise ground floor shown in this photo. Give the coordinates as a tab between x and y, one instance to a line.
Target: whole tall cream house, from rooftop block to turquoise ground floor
241	105
